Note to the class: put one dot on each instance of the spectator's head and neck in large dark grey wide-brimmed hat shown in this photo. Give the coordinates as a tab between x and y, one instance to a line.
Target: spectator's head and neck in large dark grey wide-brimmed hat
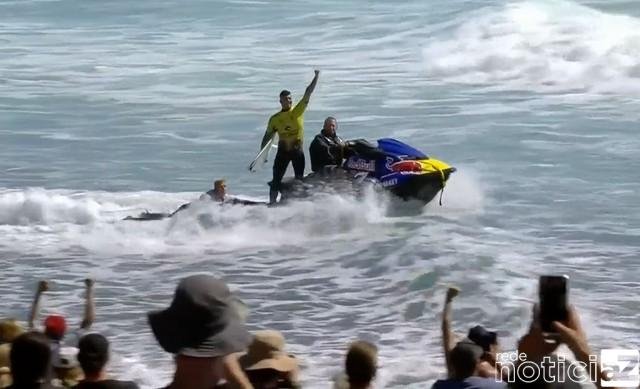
202	325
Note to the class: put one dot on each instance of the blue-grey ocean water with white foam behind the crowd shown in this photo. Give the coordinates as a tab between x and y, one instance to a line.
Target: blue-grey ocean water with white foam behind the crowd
109	108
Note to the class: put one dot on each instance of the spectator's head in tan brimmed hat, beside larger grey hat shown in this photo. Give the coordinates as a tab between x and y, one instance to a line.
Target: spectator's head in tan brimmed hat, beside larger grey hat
266	363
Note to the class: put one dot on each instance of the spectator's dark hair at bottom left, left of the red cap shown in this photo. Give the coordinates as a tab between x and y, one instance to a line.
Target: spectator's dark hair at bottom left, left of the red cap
30	358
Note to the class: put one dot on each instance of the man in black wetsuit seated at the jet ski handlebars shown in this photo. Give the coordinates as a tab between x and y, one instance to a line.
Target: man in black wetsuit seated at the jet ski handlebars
326	148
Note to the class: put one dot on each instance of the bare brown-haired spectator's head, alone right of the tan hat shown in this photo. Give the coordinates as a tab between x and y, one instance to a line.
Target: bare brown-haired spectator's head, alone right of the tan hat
361	364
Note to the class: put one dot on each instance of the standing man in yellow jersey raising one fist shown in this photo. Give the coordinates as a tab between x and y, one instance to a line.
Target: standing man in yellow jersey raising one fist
289	125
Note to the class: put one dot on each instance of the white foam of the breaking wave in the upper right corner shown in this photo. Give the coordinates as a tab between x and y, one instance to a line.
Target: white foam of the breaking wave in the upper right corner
546	46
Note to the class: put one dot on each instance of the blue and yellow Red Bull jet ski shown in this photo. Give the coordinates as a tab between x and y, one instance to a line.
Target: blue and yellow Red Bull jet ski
390	165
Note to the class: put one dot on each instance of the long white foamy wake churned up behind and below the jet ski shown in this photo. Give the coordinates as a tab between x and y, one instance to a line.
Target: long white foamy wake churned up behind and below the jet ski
93	220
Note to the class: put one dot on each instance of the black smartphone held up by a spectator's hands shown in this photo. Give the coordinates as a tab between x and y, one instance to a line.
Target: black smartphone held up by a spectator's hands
554	301
